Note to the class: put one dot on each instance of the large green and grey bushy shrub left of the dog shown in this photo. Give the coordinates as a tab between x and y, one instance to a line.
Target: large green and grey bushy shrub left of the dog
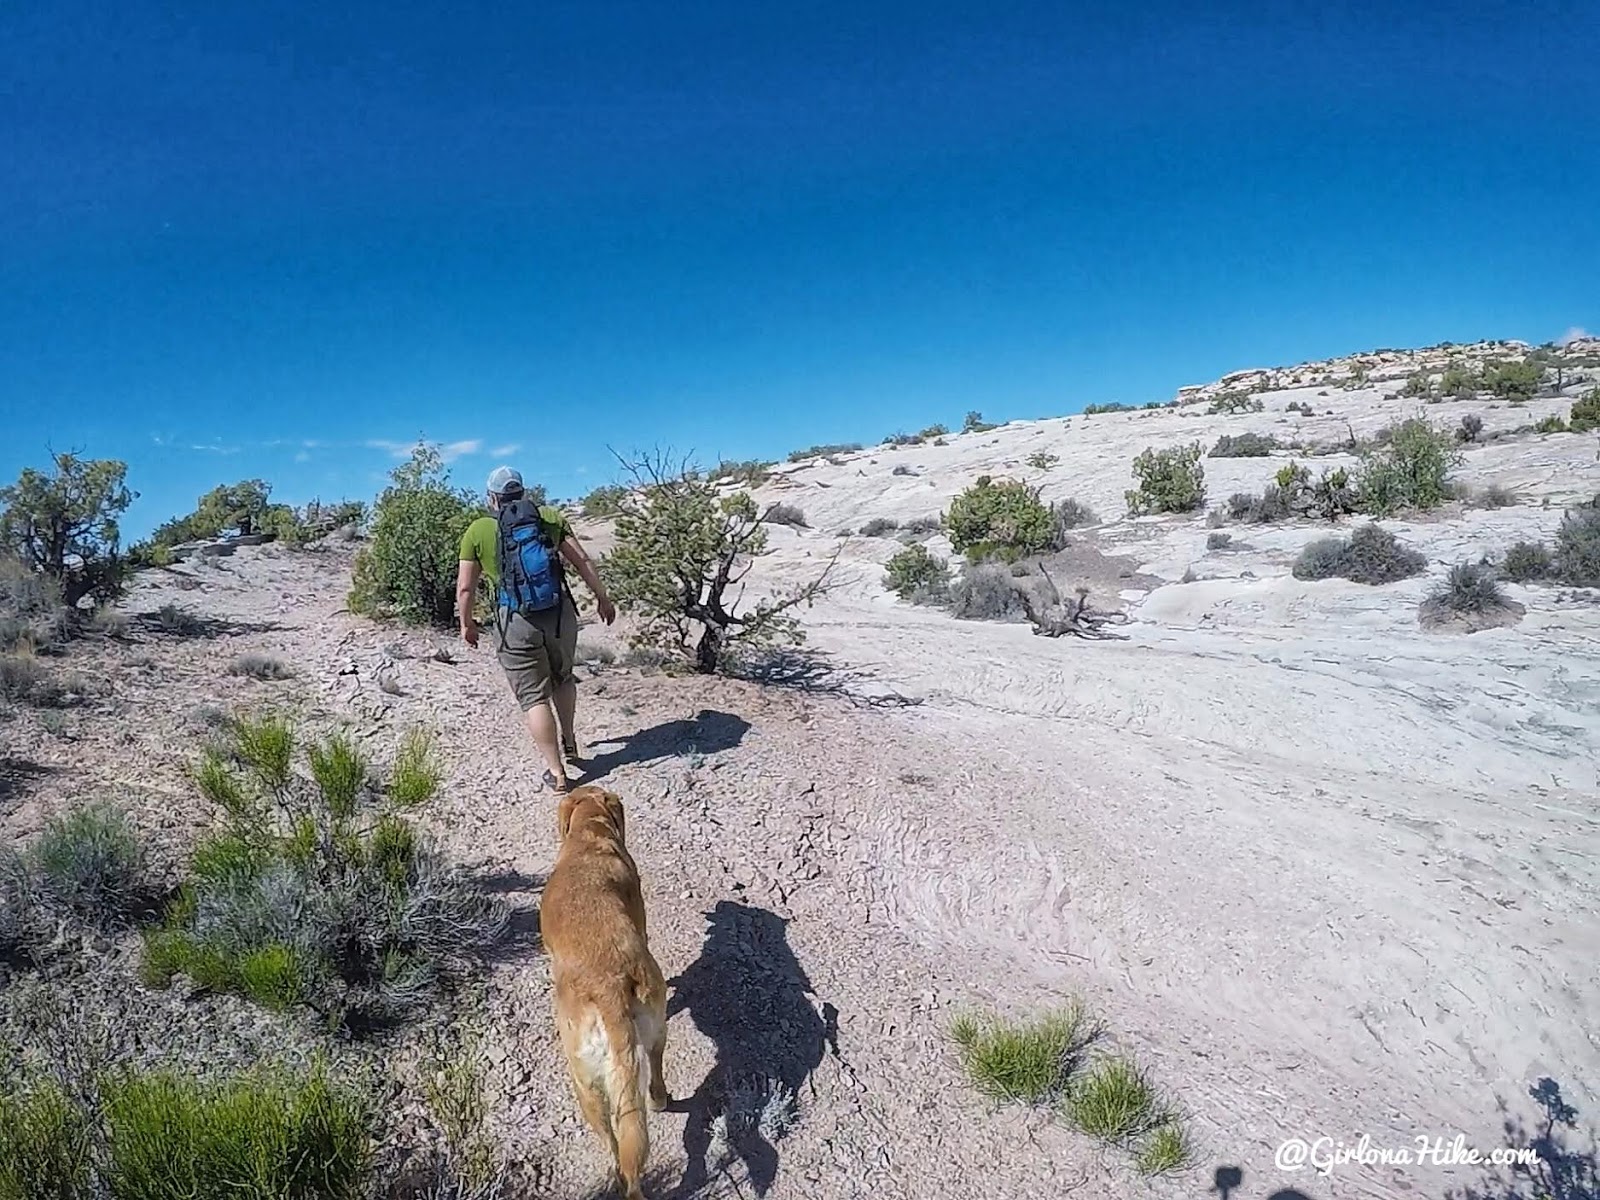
318	892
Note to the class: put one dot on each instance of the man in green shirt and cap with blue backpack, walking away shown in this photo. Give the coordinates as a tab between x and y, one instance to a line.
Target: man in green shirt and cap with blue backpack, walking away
522	551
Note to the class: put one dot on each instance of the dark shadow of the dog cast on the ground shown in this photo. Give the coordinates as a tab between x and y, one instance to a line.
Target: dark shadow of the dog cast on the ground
751	998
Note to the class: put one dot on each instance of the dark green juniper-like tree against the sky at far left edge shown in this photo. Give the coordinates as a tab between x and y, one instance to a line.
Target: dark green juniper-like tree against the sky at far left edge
65	526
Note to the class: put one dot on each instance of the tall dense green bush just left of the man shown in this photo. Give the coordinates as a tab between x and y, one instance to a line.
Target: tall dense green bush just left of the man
409	569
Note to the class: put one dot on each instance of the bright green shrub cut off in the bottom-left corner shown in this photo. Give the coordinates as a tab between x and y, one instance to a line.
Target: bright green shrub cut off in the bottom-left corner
46	1145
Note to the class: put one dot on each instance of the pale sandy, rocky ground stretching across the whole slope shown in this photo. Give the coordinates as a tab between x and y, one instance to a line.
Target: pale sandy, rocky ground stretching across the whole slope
1324	873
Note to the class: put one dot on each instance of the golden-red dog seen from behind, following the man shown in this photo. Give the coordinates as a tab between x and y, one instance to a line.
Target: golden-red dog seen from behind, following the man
610	996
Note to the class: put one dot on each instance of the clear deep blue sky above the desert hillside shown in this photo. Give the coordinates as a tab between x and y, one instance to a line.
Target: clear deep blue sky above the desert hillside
262	239
